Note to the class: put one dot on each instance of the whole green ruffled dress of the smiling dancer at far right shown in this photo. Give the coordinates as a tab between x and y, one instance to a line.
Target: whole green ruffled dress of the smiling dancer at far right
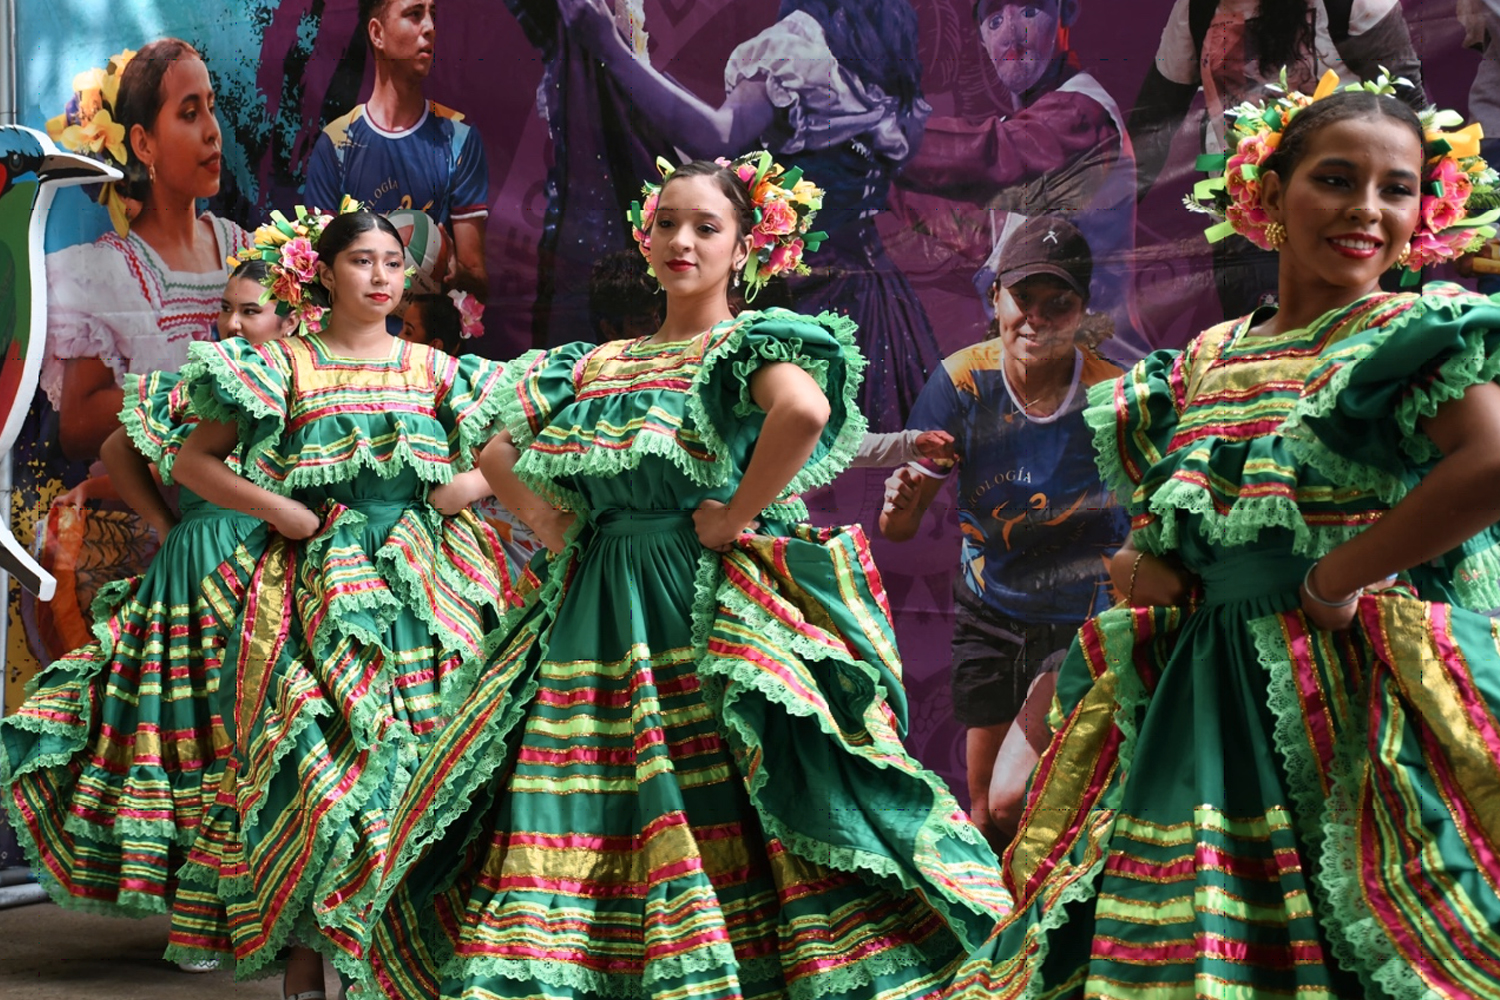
1237	804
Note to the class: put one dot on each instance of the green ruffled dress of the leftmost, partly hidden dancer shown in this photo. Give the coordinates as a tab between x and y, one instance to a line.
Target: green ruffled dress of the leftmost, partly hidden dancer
115	756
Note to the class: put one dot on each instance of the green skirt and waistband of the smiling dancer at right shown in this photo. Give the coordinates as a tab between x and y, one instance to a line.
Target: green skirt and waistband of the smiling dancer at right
1241	806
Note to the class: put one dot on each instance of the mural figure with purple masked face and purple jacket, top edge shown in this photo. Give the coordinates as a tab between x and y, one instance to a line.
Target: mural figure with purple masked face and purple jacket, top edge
1060	148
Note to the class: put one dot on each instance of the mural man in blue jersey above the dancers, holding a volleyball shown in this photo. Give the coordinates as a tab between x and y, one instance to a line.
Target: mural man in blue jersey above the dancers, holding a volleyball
401	151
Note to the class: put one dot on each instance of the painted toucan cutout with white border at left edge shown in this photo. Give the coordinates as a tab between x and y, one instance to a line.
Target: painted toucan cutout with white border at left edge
32	169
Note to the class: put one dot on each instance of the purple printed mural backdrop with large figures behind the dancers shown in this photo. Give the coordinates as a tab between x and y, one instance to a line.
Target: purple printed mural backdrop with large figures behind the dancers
937	127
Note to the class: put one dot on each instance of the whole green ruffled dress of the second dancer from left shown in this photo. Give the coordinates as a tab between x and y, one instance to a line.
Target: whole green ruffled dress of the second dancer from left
349	647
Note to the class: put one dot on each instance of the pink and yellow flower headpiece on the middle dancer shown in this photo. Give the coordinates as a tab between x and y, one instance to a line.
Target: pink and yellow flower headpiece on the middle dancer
785	208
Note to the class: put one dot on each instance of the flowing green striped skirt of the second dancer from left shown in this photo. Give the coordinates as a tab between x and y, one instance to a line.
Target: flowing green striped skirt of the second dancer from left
340	669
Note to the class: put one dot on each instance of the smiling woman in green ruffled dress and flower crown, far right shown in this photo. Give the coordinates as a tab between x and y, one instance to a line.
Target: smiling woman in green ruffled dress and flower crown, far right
1274	770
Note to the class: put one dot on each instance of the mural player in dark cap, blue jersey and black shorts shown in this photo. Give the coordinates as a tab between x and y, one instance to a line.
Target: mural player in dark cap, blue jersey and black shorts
1036	519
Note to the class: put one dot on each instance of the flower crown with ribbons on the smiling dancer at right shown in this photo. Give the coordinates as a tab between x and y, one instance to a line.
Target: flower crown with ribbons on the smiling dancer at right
1456	175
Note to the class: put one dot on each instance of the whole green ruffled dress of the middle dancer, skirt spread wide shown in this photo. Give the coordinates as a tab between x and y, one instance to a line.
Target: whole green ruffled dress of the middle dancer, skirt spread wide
682	774
